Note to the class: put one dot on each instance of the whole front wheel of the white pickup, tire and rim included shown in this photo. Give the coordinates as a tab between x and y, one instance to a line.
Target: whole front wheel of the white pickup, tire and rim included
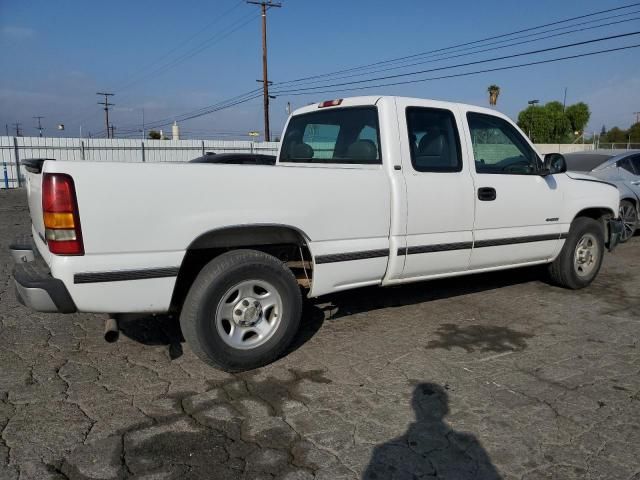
580	259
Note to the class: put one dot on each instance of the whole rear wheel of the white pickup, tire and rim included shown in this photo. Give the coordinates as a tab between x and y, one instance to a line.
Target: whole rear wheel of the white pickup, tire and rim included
242	310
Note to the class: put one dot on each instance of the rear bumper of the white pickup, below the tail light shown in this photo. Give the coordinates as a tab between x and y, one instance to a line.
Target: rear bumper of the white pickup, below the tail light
34	285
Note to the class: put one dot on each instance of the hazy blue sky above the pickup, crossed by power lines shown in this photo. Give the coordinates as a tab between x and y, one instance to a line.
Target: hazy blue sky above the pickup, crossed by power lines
56	55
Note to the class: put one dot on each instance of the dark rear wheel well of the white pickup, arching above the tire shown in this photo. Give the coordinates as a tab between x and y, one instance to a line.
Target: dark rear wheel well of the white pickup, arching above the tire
285	243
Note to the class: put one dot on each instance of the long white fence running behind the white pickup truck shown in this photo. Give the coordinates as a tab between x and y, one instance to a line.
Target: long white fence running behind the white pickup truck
14	149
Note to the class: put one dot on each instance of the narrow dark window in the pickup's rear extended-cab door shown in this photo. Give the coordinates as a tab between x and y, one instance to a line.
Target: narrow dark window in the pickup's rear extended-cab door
433	140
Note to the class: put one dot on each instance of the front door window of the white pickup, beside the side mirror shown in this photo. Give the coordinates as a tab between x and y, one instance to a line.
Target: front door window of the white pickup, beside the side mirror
498	148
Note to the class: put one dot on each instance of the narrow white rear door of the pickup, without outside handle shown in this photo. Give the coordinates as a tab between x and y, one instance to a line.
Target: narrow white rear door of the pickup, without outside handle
439	190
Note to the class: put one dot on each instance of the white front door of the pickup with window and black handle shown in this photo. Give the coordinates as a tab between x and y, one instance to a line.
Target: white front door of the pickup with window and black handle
517	211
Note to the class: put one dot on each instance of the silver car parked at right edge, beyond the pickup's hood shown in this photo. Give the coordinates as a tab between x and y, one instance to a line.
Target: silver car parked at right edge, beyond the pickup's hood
621	169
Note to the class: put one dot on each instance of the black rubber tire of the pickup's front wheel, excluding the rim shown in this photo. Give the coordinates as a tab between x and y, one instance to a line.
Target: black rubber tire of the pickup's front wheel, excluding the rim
563	271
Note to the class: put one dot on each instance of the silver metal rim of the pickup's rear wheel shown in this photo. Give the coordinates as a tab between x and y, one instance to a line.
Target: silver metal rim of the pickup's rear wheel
248	314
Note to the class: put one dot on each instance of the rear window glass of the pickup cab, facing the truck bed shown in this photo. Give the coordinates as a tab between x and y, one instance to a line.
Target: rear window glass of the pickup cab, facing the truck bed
349	135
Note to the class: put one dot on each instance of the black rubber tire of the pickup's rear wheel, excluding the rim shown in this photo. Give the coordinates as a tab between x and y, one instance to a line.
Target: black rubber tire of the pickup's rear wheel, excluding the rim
199	318
